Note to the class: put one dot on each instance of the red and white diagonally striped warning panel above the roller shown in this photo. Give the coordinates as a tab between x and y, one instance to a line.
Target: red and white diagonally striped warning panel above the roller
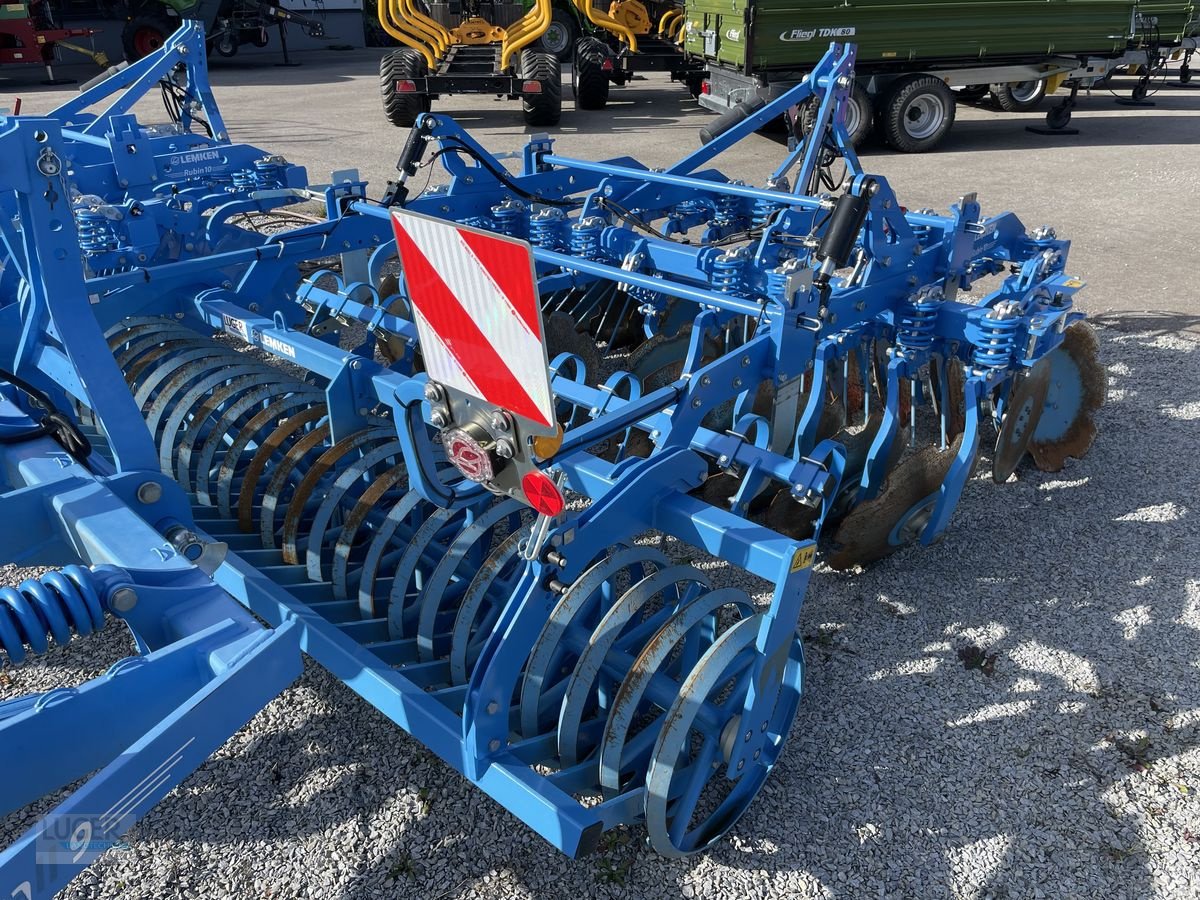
478	314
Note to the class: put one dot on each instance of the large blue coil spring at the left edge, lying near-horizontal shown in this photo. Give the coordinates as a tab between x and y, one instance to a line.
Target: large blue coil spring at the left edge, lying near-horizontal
50	607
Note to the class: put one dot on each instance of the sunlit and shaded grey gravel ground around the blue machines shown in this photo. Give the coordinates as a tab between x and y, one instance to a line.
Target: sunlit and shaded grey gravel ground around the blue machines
1013	713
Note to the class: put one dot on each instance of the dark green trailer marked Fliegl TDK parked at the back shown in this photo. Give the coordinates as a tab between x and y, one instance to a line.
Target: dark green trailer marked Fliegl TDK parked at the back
913	55
